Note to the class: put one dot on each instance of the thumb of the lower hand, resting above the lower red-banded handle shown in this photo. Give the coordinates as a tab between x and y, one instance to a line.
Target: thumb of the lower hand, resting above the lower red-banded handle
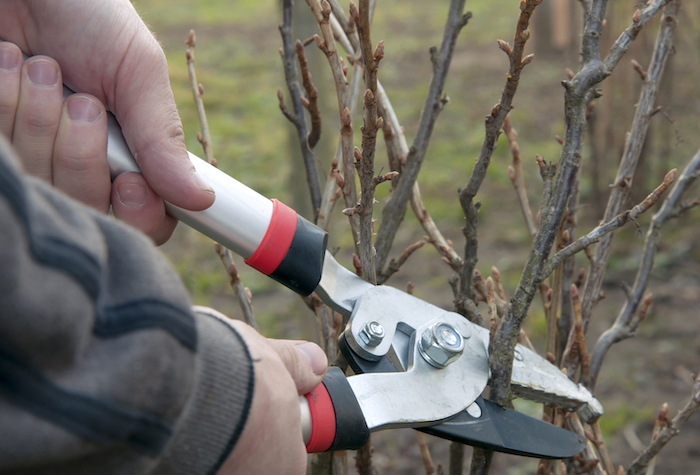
306	362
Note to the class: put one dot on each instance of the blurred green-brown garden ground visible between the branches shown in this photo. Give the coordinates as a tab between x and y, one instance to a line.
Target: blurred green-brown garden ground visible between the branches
239	65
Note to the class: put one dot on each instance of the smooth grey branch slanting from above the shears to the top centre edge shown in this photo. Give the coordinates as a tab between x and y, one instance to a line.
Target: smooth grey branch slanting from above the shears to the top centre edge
395	207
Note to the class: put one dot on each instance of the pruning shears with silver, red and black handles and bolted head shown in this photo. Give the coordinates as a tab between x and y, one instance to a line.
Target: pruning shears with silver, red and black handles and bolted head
415	364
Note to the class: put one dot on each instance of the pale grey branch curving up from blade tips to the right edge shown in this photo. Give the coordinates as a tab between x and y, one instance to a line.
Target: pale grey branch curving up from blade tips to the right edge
626	323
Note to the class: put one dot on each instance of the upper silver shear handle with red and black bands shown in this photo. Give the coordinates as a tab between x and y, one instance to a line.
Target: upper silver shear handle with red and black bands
269	235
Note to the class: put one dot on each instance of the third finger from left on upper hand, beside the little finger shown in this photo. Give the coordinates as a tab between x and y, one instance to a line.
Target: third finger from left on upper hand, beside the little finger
80	152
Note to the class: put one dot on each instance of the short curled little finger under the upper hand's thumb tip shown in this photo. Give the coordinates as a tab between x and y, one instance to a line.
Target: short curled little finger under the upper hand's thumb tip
135	202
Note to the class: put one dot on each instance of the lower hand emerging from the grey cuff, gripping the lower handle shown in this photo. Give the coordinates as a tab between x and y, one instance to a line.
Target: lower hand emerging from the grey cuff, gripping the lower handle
271	441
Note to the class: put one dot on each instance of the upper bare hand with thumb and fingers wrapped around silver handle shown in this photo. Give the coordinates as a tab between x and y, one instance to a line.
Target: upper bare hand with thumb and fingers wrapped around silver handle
101	48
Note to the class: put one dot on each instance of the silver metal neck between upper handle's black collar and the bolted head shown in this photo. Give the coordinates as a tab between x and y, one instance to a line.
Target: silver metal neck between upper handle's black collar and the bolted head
339	288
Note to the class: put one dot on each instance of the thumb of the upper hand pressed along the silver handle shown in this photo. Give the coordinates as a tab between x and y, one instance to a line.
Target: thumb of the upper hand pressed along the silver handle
145	108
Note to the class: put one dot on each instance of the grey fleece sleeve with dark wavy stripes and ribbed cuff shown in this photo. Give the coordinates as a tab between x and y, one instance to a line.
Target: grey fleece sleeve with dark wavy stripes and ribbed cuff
104	367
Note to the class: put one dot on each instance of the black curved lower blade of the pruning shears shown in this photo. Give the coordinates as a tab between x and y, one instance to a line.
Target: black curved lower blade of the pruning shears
505	430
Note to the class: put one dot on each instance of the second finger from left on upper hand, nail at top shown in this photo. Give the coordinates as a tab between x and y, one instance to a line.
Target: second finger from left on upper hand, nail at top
38	115
